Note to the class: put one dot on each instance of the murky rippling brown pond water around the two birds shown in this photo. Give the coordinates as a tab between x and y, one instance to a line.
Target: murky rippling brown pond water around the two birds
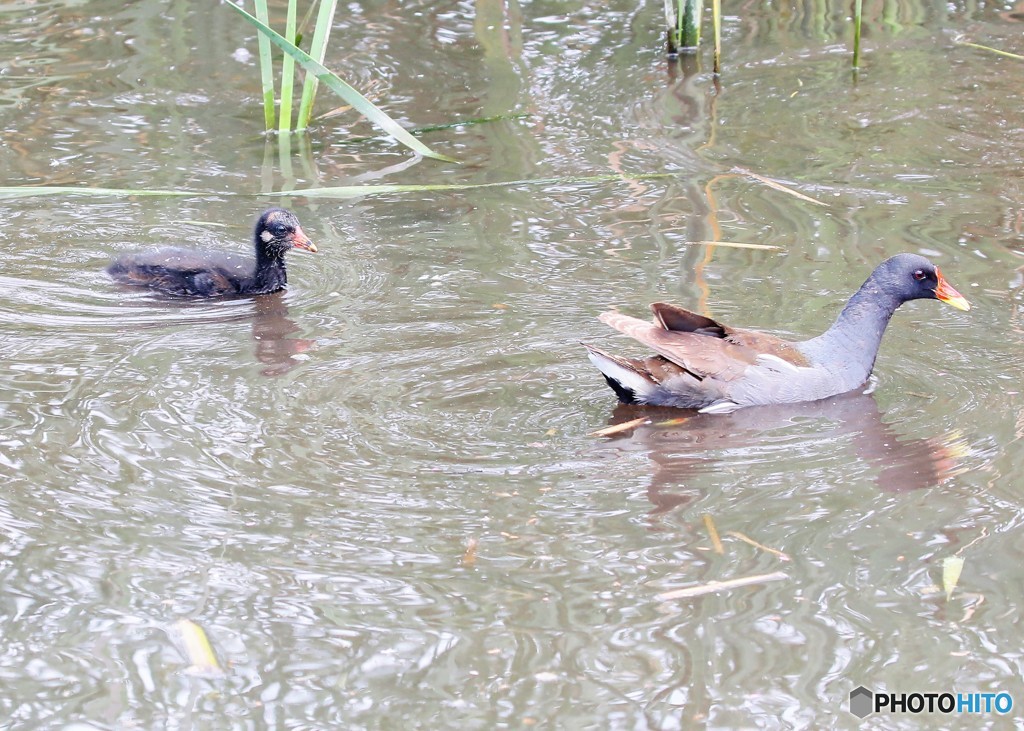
377	493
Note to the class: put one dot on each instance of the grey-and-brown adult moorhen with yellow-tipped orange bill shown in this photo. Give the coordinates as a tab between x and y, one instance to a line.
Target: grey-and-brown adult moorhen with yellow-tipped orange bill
717	369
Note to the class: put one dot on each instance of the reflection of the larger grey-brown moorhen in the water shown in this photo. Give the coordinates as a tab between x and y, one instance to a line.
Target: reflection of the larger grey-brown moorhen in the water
684	444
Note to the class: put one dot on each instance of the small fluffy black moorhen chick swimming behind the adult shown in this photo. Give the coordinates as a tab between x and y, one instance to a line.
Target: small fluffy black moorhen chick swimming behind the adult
200	274
